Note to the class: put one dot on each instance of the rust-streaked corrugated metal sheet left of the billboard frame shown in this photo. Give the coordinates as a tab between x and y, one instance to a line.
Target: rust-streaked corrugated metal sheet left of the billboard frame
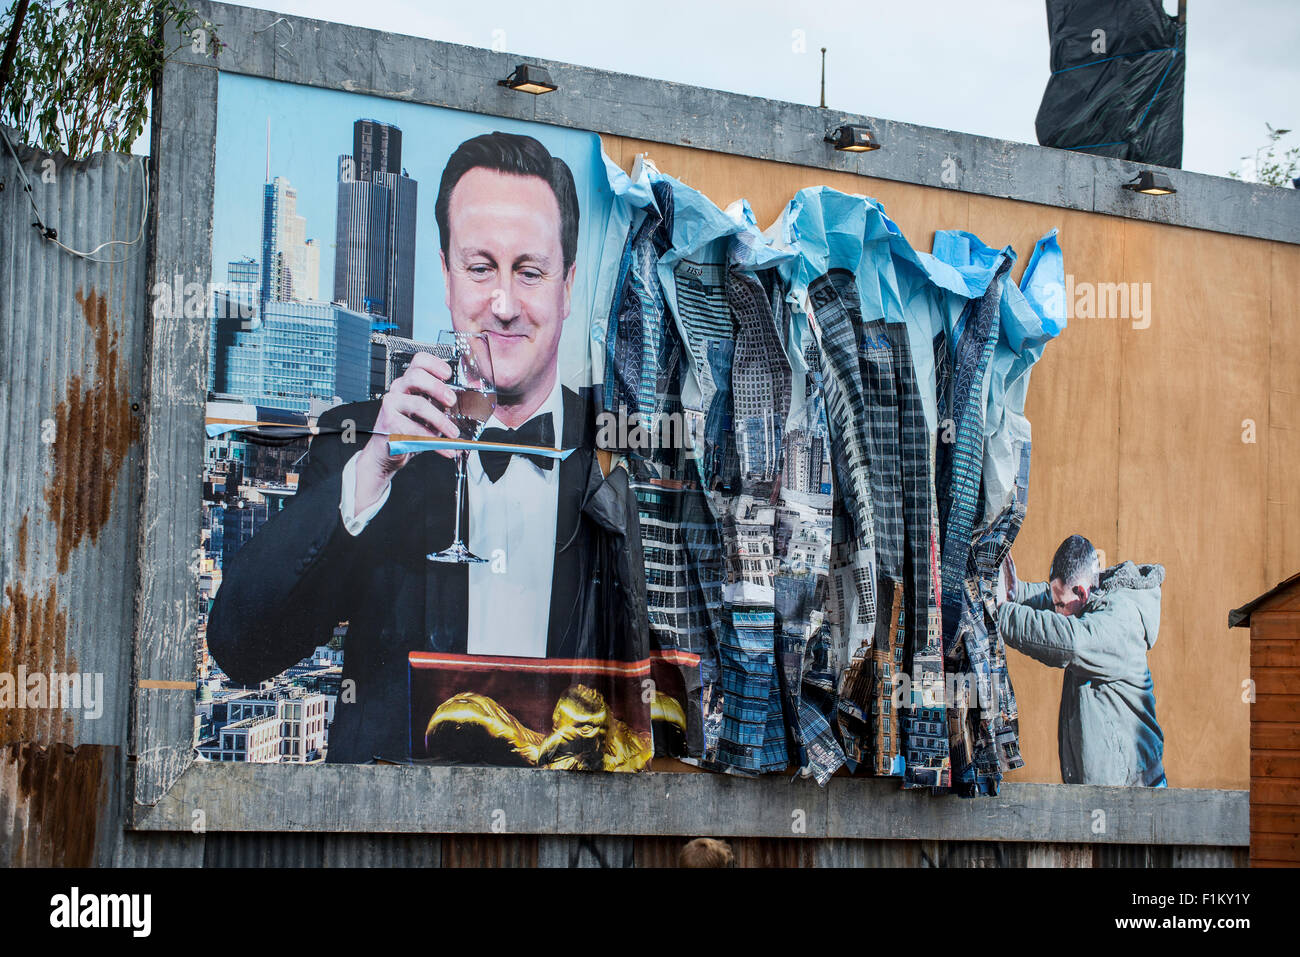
71	410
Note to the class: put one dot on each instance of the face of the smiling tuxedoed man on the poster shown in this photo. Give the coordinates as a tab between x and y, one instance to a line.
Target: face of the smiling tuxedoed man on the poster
505	276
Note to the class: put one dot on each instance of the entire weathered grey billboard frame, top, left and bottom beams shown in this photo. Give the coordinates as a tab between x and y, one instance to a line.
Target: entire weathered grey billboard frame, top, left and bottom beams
172	793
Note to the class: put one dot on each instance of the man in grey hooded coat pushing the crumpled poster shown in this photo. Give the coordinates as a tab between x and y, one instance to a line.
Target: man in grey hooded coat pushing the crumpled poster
1099	626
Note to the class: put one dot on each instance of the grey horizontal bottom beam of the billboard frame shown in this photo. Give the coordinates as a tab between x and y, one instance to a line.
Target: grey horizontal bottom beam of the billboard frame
478	800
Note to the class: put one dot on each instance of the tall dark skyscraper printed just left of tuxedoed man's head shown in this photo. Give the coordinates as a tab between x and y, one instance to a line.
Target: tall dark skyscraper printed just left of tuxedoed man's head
375	235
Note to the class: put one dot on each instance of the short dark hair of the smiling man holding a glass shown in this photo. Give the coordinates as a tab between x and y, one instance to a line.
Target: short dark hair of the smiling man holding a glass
518	155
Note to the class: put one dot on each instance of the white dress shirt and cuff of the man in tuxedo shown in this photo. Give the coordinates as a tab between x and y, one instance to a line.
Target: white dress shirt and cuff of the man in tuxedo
513	526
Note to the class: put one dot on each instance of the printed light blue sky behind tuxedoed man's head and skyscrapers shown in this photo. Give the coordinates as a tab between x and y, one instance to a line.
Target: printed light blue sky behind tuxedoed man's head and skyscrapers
311	129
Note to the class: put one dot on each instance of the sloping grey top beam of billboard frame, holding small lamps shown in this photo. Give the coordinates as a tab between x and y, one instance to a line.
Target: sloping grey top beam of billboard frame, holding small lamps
447	75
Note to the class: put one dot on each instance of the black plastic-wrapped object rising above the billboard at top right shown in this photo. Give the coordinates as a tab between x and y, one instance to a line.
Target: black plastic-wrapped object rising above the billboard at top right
1117	81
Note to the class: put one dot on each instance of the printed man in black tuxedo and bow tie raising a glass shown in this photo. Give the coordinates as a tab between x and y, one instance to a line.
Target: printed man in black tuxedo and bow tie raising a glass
352	545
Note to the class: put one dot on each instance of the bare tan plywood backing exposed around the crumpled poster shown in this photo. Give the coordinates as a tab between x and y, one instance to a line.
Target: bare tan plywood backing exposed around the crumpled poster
1137	432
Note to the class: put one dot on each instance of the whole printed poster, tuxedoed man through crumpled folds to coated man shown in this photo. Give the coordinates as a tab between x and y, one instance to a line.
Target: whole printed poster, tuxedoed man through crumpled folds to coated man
544	464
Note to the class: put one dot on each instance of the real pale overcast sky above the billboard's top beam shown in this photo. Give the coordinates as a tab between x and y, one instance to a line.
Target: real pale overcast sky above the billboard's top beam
972	67
